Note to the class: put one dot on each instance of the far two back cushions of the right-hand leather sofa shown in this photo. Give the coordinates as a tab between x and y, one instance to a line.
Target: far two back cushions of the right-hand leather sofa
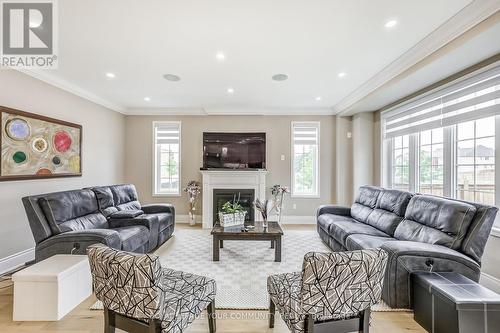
381	208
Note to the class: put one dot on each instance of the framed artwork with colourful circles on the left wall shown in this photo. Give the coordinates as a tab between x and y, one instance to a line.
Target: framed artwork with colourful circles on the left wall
38	147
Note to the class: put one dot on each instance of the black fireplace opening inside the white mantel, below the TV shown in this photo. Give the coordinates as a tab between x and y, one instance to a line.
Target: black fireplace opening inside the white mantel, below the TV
221	196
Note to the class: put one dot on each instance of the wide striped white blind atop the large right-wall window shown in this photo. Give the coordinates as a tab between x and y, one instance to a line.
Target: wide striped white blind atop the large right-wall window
473	98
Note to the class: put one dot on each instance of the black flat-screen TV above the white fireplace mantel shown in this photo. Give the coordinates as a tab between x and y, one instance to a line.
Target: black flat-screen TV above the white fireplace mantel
234	150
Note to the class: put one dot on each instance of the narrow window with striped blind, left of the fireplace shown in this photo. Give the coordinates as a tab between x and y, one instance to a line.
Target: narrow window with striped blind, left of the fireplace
167	151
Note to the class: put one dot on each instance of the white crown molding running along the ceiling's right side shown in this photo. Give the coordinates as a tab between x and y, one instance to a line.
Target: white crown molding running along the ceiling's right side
470	16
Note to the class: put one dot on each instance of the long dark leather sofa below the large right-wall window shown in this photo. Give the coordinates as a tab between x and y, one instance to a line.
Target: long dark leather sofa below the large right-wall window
418	232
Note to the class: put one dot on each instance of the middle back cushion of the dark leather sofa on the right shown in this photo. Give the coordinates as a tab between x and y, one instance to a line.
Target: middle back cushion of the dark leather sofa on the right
389	211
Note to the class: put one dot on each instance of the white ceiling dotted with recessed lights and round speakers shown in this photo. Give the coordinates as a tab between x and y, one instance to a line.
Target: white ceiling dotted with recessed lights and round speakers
311	41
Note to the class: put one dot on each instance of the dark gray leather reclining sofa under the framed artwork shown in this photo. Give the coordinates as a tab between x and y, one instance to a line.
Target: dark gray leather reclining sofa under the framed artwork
63	222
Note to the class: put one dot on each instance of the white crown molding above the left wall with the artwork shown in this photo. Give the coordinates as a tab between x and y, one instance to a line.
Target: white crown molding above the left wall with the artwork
72	88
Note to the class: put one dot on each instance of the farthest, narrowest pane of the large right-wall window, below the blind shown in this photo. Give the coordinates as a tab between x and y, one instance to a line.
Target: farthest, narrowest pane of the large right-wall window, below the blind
401	163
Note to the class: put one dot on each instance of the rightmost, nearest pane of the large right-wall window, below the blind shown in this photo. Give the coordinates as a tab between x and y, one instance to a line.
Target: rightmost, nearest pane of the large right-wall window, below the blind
475	161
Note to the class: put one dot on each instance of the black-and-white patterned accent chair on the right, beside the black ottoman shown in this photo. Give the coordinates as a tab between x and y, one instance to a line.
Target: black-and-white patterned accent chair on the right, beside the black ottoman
333	293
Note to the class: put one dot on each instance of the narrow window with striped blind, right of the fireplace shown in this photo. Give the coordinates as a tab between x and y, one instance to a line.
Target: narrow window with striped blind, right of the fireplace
305	159
